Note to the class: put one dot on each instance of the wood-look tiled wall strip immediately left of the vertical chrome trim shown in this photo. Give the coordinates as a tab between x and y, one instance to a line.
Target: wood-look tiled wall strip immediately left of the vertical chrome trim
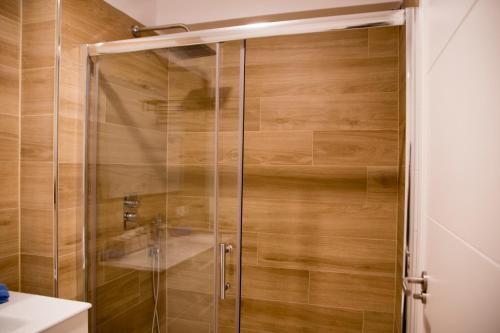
37	118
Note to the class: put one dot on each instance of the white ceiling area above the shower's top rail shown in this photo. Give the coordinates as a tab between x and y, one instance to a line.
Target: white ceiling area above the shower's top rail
153	12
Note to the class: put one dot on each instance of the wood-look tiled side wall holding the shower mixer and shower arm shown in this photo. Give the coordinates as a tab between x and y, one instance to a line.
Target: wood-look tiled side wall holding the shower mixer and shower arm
131	159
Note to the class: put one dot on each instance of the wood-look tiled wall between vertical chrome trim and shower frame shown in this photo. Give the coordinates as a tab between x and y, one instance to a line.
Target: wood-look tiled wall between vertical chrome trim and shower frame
81	22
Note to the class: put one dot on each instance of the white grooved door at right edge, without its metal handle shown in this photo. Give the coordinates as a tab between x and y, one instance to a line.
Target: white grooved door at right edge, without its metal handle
460	84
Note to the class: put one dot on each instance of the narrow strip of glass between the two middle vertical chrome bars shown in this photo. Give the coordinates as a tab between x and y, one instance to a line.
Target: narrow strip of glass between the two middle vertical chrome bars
229	171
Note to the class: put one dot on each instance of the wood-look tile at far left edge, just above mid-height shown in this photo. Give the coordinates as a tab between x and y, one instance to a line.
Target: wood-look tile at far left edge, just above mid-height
9	138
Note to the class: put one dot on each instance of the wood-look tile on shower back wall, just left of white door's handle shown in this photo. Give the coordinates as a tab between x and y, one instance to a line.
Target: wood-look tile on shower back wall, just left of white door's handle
354	291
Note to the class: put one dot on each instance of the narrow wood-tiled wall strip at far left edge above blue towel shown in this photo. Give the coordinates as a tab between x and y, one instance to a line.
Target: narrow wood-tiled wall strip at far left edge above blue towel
10	39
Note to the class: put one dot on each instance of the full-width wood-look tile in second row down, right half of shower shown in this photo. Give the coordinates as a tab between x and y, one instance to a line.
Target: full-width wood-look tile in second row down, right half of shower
343	76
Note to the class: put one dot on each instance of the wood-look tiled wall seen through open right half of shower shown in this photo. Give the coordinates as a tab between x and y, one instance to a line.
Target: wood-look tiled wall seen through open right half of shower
321	182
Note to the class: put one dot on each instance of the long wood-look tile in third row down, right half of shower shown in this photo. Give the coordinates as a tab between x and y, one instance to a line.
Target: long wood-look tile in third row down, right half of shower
330	112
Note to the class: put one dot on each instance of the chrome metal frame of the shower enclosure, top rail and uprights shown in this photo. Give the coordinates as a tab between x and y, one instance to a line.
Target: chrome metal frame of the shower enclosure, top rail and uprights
241	33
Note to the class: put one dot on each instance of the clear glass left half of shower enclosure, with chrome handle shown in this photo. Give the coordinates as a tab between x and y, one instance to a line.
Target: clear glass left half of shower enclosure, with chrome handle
164	175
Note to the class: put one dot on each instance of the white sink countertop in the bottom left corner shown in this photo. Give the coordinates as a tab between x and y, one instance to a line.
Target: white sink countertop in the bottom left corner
26	313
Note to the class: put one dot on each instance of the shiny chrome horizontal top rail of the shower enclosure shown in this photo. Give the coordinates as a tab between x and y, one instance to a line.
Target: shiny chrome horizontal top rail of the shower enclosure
255	30
